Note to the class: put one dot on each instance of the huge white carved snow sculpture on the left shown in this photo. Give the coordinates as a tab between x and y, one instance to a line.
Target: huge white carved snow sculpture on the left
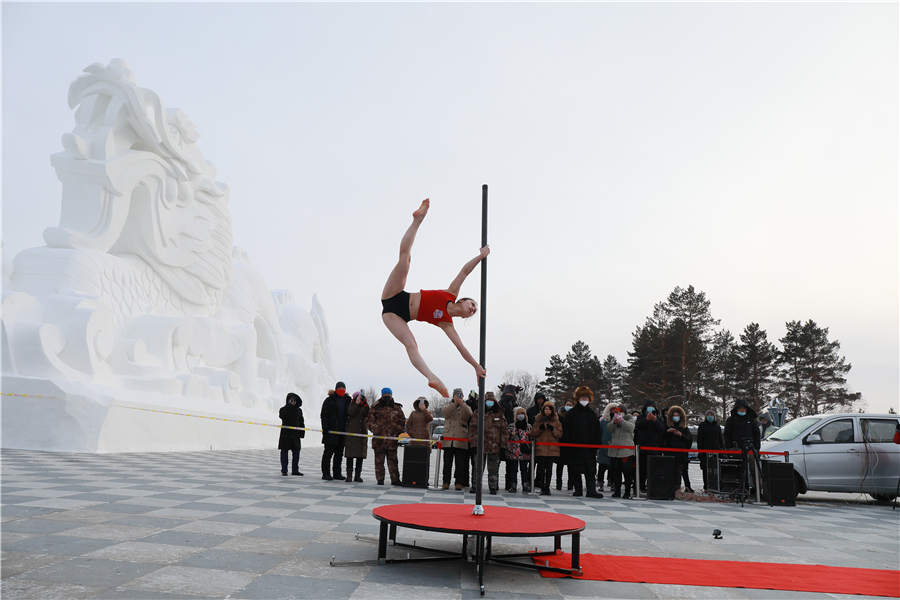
140	298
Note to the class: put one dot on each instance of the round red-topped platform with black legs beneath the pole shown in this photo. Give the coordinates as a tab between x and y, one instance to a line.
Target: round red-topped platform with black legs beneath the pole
497	521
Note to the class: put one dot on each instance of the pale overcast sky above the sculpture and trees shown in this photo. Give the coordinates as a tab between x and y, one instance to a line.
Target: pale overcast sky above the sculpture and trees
750	150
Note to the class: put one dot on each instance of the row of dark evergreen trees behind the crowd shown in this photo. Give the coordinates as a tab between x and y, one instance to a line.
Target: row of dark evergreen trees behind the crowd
678	356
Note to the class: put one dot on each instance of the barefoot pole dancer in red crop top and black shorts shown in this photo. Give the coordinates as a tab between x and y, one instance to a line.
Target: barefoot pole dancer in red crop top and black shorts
438	307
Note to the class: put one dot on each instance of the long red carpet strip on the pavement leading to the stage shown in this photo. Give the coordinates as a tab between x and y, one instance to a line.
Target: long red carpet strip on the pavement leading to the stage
727	573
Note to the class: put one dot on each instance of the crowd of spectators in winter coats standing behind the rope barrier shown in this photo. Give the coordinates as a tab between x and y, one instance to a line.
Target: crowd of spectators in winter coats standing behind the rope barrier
562	437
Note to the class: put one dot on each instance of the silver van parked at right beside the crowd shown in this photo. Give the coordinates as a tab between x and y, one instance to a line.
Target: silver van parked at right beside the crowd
849	452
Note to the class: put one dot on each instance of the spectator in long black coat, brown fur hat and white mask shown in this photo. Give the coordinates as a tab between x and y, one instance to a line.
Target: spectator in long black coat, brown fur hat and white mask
581	426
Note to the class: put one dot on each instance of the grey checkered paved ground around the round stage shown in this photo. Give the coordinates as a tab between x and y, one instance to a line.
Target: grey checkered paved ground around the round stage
227	524
